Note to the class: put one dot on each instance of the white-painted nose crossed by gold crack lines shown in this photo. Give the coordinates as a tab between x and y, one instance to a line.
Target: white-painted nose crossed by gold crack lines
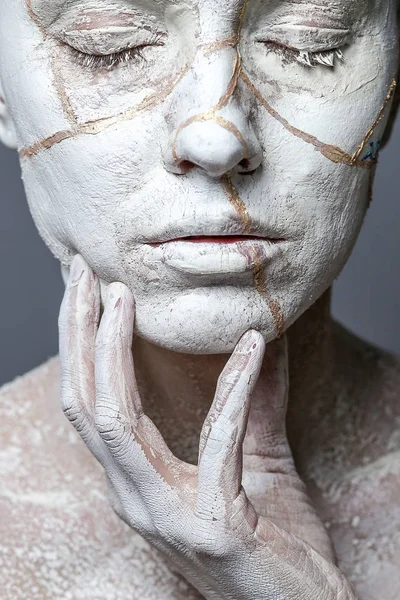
210	128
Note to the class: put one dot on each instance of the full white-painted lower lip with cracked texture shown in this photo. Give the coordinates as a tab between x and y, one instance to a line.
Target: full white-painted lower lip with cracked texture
223	255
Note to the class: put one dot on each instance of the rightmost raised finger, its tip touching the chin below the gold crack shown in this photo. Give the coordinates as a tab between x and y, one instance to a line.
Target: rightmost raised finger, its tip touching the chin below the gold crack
220	461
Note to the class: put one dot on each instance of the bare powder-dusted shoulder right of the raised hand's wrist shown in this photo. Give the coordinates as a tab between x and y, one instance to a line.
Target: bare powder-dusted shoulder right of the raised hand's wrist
362	487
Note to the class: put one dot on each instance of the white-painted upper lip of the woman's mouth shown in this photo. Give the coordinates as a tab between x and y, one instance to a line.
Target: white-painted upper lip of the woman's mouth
210	226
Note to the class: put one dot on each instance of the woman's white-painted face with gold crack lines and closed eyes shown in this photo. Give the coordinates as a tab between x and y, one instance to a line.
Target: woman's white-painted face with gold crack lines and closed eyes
142	122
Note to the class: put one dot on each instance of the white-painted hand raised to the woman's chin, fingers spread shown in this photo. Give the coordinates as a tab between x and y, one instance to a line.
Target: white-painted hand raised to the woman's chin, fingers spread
199	516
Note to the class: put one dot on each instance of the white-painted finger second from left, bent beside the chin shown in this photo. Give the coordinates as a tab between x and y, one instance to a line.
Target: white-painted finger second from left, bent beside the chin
132	438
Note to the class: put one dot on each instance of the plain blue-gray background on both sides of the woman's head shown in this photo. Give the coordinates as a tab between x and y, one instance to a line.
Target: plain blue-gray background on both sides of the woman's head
366	296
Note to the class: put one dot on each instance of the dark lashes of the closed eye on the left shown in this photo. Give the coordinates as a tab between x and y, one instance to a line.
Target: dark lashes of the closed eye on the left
111	61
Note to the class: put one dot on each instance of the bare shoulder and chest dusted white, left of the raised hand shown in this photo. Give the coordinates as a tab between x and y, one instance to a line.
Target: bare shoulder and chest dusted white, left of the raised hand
59	539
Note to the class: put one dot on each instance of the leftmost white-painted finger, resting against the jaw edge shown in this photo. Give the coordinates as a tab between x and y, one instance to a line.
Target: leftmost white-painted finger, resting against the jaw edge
78	320
